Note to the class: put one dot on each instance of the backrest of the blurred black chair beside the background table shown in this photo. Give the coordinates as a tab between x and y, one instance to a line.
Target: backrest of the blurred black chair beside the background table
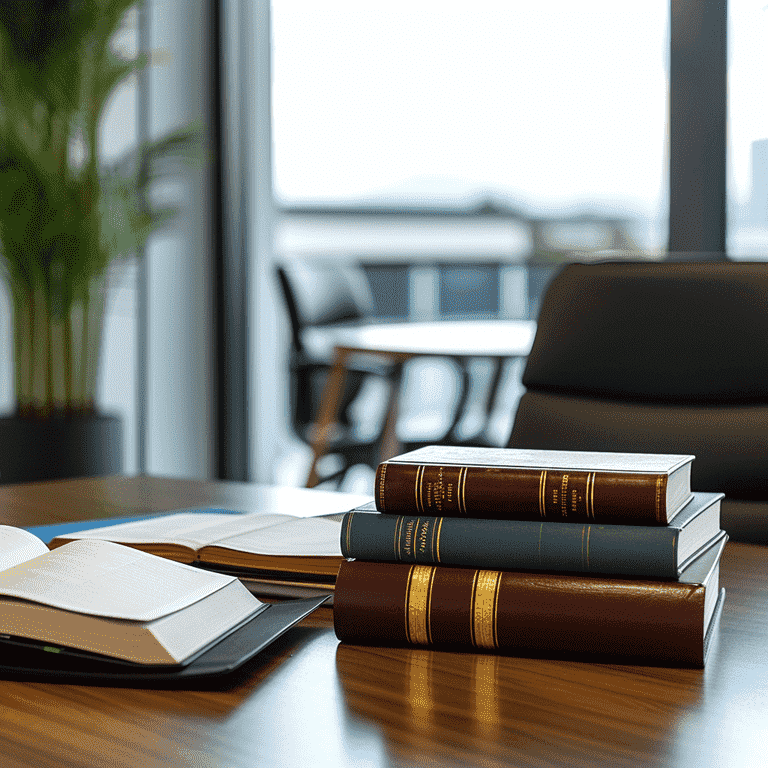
318	294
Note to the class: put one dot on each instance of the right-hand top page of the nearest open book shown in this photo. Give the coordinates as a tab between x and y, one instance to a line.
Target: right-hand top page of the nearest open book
105	579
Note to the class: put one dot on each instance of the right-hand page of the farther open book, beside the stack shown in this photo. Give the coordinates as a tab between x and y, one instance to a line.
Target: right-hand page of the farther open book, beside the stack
307	537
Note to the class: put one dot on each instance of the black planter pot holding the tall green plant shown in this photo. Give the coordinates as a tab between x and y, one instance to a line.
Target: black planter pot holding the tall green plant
59	447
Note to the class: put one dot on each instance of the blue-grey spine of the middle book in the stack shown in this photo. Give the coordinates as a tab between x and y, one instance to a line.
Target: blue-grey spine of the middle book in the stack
512	544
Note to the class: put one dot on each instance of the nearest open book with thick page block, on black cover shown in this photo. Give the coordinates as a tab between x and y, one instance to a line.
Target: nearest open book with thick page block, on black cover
108	599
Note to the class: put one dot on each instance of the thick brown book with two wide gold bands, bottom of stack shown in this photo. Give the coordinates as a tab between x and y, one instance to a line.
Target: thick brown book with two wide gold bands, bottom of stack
668	622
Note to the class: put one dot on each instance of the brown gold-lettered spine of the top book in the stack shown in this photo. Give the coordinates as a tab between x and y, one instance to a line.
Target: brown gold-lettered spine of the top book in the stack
521	494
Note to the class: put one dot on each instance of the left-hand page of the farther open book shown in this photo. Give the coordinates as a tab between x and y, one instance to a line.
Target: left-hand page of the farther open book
192	529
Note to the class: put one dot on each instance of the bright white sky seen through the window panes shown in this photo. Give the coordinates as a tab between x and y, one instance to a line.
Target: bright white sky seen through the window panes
552	104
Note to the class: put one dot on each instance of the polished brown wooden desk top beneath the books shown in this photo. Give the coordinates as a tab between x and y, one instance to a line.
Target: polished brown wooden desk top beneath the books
310	701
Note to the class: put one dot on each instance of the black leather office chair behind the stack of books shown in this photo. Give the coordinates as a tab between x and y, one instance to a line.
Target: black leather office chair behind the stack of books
658	358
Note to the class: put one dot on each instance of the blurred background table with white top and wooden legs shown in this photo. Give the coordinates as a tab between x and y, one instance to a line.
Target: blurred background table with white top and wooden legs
397	343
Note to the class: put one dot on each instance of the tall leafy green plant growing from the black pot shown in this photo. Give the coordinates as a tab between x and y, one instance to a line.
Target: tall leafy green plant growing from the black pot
65	217
